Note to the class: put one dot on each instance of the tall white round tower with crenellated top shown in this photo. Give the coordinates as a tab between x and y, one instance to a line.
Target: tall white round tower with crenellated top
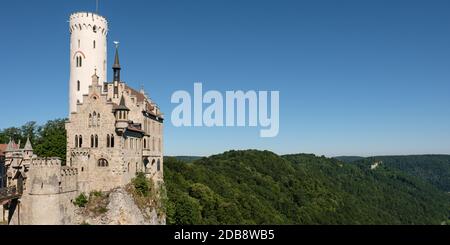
88	54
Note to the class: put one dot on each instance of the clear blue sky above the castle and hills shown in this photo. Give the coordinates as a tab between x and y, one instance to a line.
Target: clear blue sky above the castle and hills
362	77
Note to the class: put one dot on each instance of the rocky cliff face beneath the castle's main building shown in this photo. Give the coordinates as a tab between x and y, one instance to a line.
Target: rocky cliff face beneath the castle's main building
117	207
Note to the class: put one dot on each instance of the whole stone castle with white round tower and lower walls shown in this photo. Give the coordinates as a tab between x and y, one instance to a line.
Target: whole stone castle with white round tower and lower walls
113	132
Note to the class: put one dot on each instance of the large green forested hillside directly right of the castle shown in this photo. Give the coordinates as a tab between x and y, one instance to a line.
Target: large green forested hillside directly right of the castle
254	187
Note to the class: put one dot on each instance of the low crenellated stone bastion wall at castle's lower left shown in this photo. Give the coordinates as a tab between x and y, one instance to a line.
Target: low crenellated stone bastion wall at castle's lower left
52	190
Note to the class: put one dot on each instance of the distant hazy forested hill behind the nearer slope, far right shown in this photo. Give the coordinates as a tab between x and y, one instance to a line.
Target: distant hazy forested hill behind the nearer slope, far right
434	169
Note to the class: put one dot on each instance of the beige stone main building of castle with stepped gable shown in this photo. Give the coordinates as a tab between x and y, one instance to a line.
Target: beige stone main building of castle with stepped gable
115	133
